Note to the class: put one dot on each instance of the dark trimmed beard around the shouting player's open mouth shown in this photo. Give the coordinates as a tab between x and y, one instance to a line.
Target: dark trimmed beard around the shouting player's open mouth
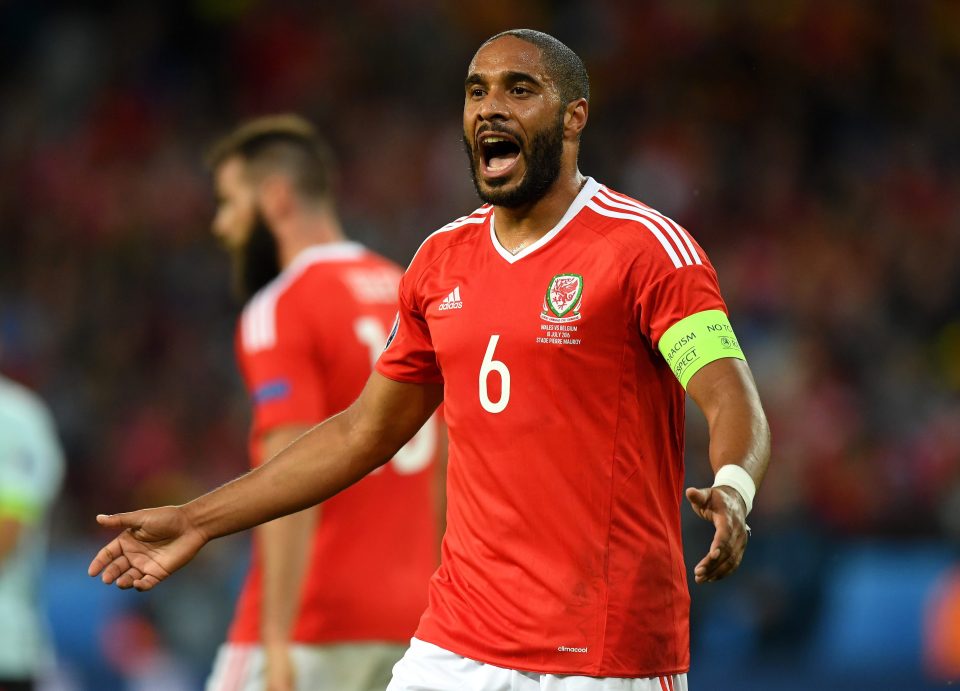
543	168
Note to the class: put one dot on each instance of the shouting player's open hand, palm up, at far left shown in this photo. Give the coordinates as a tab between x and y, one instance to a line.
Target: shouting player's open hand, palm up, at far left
154	543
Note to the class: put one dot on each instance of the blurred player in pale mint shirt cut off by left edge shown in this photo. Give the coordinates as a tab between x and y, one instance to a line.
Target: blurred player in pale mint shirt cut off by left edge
31	471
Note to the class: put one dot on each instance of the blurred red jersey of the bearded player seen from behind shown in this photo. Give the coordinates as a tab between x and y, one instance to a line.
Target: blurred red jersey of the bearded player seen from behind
306	344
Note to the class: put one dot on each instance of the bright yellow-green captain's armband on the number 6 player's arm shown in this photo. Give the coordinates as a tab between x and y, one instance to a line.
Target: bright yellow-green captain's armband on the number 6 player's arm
698	340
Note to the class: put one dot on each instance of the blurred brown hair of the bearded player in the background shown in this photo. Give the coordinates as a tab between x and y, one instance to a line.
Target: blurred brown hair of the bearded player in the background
286	143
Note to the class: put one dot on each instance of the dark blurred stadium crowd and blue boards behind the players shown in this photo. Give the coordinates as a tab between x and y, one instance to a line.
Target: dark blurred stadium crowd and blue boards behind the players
811	146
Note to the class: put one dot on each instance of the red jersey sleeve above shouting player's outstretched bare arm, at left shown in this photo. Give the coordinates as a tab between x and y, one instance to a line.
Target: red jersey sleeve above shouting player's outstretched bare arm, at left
409	355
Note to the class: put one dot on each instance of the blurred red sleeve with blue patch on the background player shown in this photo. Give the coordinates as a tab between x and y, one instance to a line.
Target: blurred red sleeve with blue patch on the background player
278	366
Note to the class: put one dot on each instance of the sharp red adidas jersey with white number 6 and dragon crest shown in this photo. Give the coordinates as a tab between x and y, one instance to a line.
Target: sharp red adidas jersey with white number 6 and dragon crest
562	553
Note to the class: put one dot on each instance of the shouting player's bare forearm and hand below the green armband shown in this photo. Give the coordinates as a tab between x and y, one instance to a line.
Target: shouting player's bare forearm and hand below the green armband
725	392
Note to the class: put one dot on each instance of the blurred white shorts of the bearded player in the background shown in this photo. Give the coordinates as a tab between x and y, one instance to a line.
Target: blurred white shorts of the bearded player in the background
339	667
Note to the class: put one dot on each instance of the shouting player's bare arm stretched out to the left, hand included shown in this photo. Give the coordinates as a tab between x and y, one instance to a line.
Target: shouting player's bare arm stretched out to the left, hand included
330	457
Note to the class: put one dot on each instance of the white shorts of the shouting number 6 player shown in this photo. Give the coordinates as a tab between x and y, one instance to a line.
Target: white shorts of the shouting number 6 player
426	667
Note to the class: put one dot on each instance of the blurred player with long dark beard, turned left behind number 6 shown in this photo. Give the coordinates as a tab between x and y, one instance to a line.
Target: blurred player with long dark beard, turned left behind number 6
335	592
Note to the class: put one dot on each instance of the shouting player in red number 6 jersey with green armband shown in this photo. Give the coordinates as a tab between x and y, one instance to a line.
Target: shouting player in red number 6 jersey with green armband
560	323
